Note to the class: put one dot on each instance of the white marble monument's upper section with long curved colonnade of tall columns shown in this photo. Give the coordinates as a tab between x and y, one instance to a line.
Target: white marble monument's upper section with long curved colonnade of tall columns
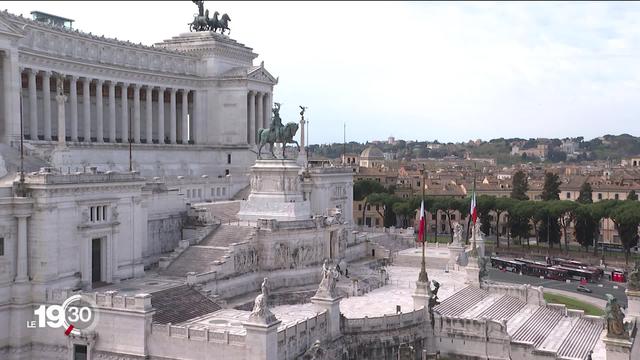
194	101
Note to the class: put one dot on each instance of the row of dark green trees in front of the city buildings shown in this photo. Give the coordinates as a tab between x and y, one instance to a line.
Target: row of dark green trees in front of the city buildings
548	219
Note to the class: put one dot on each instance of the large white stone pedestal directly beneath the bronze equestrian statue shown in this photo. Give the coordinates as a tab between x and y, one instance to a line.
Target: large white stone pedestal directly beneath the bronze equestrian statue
276	192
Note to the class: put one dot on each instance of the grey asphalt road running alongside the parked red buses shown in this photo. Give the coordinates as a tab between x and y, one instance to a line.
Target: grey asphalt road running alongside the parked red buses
598	292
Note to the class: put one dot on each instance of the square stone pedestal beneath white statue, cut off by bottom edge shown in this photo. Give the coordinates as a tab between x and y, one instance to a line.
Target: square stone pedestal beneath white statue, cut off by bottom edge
262	340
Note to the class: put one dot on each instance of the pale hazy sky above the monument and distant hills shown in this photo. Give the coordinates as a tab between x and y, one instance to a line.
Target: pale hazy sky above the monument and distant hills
419	71
